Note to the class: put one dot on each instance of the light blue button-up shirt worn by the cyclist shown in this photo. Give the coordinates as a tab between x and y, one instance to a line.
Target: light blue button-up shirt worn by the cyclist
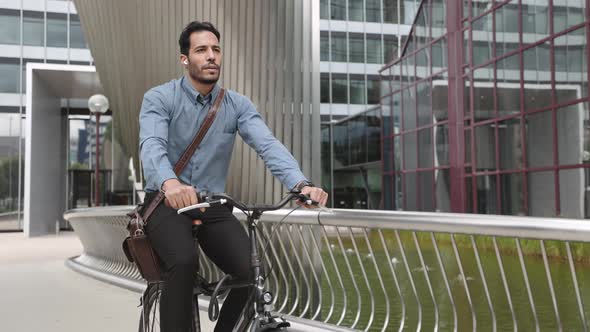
170	116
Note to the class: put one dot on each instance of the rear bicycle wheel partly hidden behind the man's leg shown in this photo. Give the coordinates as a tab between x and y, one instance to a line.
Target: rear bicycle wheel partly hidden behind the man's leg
149	318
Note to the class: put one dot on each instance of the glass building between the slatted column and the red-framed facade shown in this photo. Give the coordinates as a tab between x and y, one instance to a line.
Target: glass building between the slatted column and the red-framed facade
357	38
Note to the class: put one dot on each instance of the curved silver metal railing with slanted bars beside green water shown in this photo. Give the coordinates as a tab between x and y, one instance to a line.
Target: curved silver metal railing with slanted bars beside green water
394	271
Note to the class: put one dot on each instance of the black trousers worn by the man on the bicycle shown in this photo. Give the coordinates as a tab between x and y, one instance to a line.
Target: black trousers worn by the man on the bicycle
223	240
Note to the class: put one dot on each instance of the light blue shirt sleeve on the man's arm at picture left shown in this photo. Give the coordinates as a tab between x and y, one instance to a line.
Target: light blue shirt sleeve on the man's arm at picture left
154	119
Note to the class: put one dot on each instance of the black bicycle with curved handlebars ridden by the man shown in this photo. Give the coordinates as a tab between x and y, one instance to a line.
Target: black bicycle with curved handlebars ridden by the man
256	315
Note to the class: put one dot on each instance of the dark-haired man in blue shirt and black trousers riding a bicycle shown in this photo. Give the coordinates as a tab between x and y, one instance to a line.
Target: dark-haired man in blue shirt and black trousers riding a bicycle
170	116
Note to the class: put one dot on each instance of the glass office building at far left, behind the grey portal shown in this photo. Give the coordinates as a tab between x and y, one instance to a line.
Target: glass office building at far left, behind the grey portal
46	31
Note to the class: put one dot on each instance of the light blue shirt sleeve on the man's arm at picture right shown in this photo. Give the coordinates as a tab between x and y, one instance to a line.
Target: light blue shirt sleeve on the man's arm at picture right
276	157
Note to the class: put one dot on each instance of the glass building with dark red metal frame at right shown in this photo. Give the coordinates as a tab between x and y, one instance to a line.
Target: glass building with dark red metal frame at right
487	110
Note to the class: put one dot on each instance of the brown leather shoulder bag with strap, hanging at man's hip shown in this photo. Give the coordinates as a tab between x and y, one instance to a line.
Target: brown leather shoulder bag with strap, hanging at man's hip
136	246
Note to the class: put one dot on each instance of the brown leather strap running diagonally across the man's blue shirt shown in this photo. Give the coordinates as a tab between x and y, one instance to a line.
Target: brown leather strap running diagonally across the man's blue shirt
190	150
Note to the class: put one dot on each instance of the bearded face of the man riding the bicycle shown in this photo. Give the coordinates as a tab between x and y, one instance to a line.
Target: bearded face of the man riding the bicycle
204	57
